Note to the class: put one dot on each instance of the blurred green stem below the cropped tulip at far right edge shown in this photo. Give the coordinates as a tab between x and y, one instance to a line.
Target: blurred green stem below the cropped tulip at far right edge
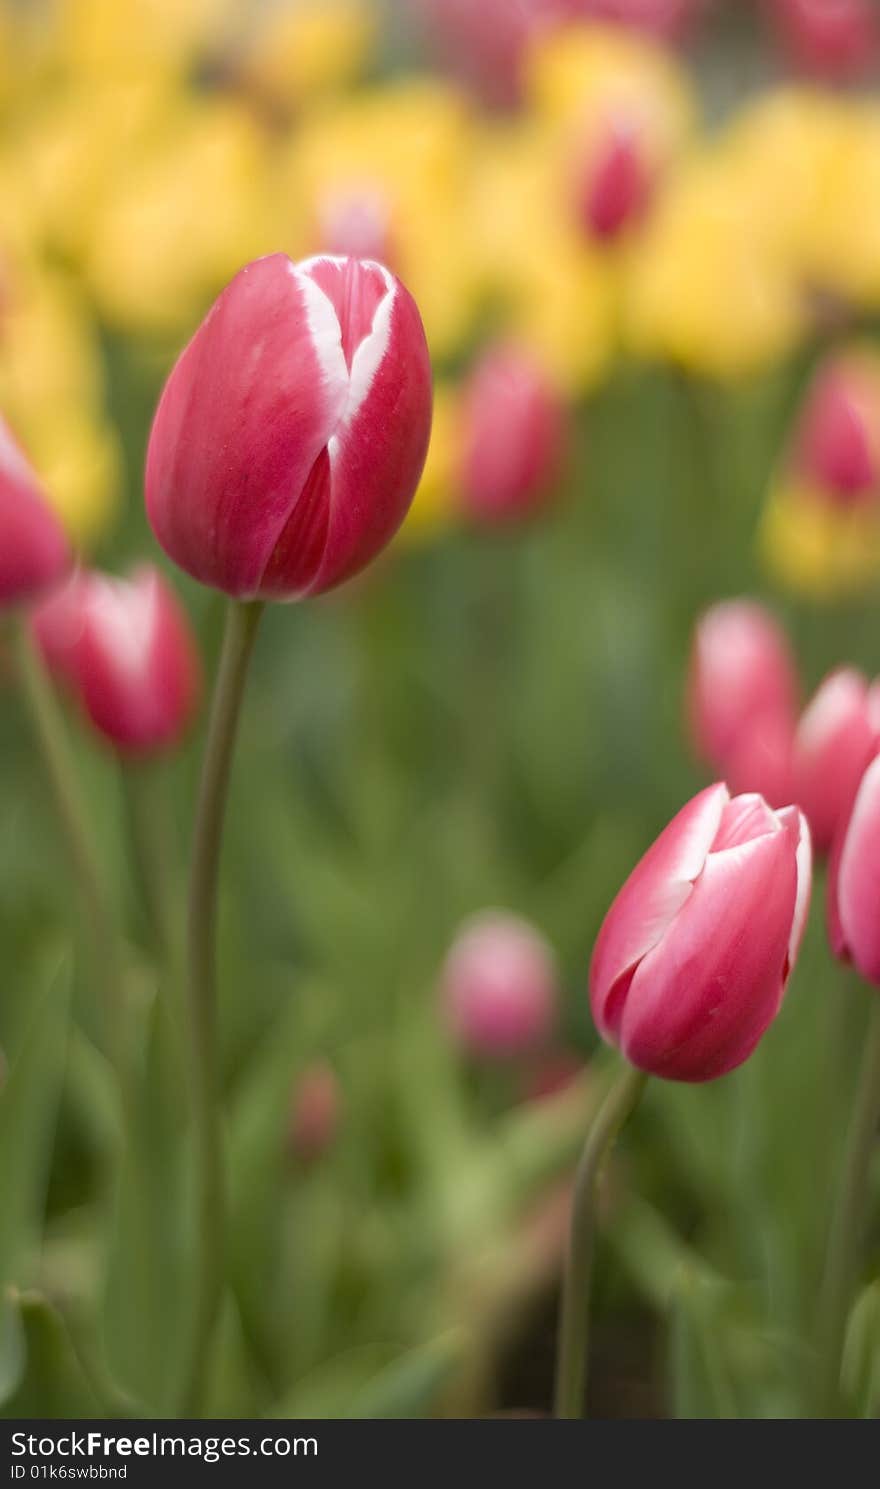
848	1223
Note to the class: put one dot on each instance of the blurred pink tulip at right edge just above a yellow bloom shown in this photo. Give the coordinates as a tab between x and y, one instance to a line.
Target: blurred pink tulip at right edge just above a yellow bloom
838	437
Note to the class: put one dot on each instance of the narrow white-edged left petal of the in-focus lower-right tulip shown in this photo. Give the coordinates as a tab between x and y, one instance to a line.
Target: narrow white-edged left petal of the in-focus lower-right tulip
650	902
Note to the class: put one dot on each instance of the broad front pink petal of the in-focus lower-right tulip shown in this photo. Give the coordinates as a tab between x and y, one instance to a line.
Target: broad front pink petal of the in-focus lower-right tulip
708	991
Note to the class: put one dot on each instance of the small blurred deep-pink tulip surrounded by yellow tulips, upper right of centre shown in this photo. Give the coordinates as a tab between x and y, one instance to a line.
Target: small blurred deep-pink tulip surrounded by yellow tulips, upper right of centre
616	184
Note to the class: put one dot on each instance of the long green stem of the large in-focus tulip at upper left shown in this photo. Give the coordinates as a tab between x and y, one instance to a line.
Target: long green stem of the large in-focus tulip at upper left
242	623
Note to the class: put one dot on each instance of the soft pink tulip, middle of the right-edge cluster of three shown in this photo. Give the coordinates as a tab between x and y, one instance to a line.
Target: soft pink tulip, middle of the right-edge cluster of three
838	736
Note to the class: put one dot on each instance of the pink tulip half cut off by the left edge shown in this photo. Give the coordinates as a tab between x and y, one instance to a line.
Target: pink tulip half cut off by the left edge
34	550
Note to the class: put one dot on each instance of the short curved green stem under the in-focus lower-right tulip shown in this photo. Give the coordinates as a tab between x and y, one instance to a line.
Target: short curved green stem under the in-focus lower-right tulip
574	1333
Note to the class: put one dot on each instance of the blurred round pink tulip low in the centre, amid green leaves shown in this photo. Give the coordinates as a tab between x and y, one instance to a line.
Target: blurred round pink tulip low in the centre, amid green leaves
500	988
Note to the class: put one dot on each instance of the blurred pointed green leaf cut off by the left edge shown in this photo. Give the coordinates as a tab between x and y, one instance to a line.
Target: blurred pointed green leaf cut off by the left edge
29	1106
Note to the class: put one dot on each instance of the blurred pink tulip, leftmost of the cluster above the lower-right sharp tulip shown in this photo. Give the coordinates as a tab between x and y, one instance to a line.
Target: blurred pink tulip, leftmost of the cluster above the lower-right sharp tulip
742	699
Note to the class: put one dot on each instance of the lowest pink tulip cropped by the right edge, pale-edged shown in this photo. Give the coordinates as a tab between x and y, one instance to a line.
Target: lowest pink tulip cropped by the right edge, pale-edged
854	882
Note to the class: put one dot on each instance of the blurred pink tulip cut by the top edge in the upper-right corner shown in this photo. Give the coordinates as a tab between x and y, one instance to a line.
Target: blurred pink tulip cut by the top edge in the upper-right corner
833	39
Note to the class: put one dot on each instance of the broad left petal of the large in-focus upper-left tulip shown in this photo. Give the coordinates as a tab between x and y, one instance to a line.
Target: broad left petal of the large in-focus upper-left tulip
245	416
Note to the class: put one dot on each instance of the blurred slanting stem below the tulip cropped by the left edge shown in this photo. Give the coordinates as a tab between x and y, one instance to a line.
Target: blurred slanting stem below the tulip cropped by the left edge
53	741
